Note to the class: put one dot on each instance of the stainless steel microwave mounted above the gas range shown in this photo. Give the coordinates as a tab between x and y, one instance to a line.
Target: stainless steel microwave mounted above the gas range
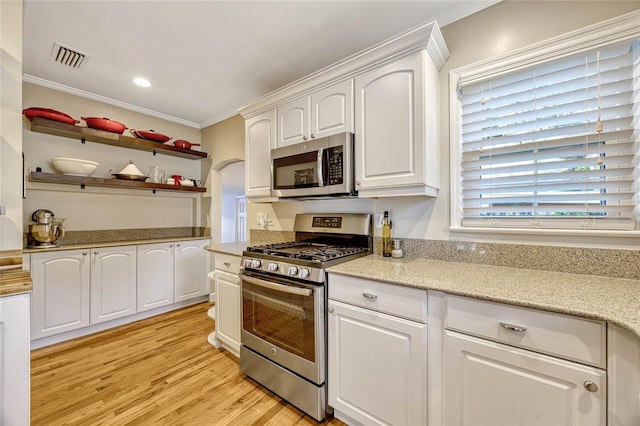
322	166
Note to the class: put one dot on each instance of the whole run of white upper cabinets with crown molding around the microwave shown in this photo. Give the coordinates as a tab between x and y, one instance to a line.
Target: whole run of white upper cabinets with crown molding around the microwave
388	95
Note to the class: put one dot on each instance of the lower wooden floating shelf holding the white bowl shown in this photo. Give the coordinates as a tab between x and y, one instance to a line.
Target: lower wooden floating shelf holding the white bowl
109	182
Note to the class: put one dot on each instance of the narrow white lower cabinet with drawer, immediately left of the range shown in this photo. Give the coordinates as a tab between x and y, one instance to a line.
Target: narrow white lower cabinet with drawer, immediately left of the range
227	303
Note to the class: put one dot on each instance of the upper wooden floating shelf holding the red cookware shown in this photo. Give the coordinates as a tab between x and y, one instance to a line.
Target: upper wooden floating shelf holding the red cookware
52	127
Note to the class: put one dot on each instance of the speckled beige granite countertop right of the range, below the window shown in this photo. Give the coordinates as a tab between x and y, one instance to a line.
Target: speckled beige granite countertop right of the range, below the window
615	300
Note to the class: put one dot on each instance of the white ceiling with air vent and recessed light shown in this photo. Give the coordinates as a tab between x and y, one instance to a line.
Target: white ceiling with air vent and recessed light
206	59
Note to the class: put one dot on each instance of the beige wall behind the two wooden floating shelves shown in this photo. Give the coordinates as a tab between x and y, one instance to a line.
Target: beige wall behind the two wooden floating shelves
103	208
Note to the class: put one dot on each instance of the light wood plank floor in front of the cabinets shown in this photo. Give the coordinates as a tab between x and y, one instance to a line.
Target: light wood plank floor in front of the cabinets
158	371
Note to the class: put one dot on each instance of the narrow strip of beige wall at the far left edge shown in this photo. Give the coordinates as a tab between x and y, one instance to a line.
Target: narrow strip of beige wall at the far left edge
10	124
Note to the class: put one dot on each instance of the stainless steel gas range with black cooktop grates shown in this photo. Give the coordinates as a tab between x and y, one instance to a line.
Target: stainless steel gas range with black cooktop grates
284	302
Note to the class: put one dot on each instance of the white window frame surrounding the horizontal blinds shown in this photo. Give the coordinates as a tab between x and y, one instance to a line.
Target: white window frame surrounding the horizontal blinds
615	30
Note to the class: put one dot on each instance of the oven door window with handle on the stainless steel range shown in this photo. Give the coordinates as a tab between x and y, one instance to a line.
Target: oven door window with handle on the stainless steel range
283	319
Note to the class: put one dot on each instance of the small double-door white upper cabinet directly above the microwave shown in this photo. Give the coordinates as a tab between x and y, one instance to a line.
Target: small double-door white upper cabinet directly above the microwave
323	113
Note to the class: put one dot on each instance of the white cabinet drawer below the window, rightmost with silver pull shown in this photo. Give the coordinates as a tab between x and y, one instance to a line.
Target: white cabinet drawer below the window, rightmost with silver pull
560	335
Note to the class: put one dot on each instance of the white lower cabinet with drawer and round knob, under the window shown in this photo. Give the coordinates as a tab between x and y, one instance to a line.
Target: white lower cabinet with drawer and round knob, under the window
497	371
